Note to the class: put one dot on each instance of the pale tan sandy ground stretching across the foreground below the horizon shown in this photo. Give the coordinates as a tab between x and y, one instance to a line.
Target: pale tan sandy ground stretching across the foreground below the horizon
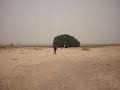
36	68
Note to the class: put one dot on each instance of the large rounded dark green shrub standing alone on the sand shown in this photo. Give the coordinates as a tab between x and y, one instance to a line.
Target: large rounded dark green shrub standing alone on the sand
67	40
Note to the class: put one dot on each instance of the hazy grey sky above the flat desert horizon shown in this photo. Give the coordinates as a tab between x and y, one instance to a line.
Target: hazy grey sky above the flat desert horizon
39	21
